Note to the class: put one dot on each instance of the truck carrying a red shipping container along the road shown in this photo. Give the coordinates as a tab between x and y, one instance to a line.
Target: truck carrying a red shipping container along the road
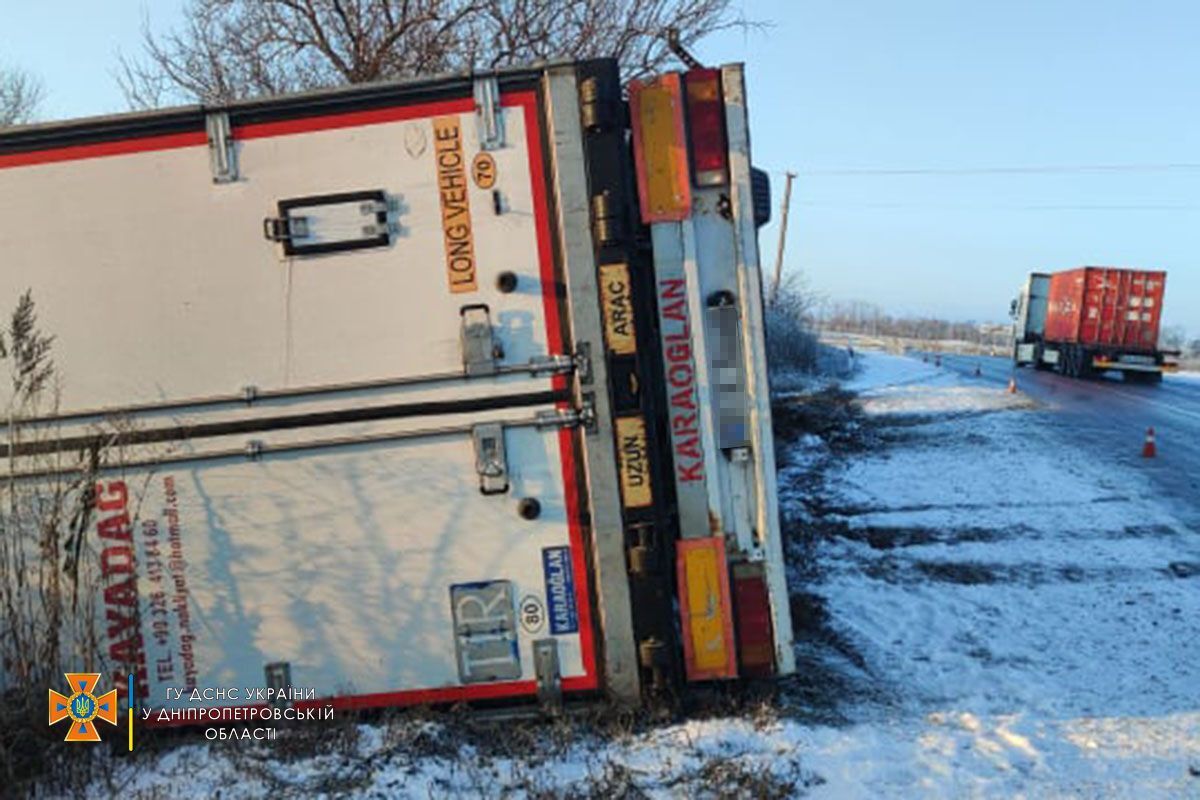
1093	320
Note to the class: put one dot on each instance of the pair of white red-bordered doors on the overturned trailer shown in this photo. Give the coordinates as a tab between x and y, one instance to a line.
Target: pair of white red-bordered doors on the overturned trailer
335	338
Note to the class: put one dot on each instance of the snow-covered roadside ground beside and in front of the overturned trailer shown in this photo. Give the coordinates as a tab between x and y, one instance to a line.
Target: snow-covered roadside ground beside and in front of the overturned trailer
1016	622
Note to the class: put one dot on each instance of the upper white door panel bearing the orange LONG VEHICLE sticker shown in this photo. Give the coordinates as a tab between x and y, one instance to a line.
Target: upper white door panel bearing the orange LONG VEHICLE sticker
159	284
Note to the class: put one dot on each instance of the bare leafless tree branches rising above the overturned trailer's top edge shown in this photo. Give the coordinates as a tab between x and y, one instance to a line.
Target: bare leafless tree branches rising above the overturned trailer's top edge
229	50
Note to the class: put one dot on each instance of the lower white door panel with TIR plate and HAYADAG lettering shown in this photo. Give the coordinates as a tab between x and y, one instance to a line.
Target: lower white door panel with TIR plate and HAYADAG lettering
343	564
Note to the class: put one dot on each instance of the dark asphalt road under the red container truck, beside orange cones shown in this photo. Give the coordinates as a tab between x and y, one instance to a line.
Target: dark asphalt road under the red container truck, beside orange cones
1108	419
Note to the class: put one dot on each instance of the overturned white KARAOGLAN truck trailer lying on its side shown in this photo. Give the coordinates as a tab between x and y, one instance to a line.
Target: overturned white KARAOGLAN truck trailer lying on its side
439	392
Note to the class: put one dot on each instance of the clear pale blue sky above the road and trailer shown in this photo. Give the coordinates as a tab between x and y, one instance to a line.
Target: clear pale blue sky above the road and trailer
889	86
